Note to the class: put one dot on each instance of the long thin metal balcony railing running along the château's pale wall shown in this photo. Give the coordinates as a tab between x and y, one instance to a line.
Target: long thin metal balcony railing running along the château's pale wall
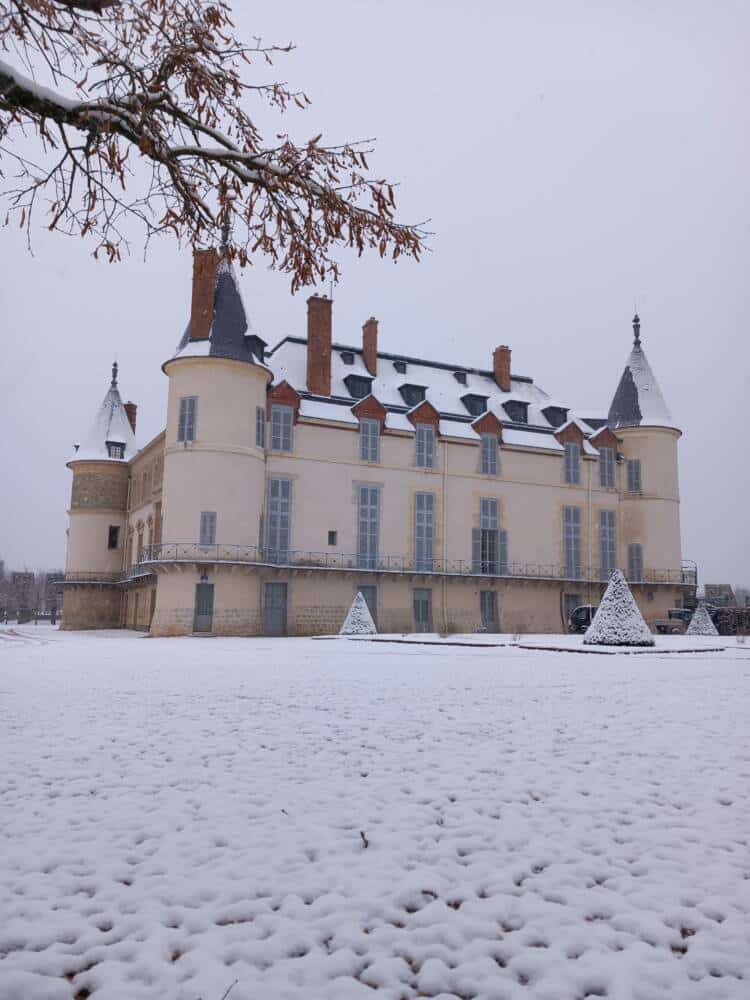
181	552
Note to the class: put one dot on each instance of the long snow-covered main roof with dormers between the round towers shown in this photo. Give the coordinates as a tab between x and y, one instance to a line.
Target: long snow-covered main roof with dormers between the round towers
288	362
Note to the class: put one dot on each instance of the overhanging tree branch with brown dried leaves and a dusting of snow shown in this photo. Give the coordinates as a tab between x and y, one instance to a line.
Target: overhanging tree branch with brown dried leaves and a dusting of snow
163	83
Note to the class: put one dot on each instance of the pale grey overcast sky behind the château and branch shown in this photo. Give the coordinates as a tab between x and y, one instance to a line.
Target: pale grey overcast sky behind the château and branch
573	160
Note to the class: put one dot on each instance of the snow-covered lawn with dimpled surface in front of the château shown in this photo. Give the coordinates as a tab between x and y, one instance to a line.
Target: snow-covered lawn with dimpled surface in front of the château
314	819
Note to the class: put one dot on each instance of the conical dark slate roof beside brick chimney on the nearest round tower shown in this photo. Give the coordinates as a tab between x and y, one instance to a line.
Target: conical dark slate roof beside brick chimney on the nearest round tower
230	335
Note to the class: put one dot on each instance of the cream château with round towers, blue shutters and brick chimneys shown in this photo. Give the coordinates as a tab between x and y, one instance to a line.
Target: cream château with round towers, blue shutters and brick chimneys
286	480
